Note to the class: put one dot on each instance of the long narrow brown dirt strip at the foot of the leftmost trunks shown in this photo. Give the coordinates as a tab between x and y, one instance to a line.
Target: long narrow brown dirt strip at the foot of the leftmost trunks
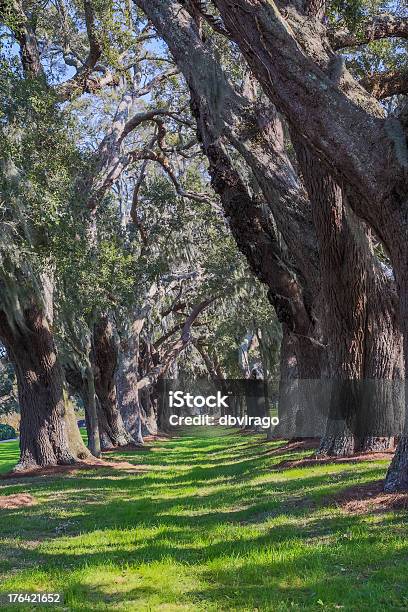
87	464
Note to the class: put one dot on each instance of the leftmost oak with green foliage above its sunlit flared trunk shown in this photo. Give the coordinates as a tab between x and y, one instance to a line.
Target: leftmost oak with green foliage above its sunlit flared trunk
29	198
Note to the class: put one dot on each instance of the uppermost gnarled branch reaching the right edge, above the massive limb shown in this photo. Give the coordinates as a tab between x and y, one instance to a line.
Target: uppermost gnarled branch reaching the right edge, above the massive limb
375	28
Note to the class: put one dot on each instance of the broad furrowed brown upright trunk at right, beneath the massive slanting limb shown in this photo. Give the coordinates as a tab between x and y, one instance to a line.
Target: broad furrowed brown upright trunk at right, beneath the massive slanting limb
360	318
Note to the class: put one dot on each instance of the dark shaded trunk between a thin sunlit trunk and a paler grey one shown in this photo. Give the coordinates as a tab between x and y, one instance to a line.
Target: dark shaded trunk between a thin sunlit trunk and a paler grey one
112	430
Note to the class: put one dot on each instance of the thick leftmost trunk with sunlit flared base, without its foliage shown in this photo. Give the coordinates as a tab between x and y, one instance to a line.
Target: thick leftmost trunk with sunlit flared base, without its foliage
48	435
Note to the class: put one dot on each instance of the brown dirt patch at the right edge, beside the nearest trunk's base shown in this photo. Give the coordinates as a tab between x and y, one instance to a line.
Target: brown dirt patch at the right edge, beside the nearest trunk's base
369	498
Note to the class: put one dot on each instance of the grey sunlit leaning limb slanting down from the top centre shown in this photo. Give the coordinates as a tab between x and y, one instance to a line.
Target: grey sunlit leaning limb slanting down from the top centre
252	132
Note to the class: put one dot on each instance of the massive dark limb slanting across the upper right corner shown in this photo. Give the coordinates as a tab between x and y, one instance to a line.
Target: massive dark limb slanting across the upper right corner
298	83
